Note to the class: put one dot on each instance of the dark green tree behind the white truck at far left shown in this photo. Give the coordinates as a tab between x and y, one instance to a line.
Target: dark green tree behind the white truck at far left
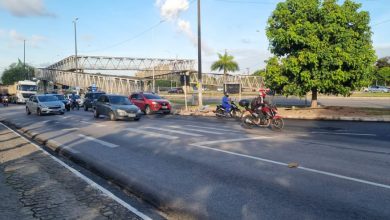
16	72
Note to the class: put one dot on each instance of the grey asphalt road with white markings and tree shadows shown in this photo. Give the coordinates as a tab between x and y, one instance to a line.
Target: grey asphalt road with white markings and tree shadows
209	168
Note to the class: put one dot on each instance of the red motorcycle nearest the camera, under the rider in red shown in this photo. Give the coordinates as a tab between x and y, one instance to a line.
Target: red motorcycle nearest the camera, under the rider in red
268	117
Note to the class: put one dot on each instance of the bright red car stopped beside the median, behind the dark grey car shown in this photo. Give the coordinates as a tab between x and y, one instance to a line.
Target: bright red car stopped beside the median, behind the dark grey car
150	103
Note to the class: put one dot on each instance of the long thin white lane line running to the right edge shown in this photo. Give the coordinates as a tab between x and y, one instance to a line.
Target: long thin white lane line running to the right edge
300	167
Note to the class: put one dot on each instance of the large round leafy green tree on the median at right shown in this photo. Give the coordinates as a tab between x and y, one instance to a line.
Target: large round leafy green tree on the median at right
320	47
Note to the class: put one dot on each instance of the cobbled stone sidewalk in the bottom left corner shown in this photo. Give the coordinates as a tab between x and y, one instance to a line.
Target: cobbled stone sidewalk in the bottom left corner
34	186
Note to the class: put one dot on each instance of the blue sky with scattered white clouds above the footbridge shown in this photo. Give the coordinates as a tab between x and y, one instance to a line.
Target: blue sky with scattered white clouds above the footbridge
150	29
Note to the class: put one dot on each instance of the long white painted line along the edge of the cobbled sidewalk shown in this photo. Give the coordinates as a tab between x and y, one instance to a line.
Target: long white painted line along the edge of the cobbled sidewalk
88	180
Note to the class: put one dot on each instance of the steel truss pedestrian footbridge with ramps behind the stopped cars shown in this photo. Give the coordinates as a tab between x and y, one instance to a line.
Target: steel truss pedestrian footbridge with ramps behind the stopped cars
65	72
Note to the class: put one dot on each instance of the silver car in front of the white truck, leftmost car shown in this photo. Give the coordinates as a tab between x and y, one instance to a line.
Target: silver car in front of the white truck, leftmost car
44	104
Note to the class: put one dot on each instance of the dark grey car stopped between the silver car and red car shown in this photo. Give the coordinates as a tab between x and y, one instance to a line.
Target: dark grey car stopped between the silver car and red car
116	107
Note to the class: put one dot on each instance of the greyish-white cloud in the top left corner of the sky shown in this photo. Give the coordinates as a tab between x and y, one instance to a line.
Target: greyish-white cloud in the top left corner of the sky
25	8
